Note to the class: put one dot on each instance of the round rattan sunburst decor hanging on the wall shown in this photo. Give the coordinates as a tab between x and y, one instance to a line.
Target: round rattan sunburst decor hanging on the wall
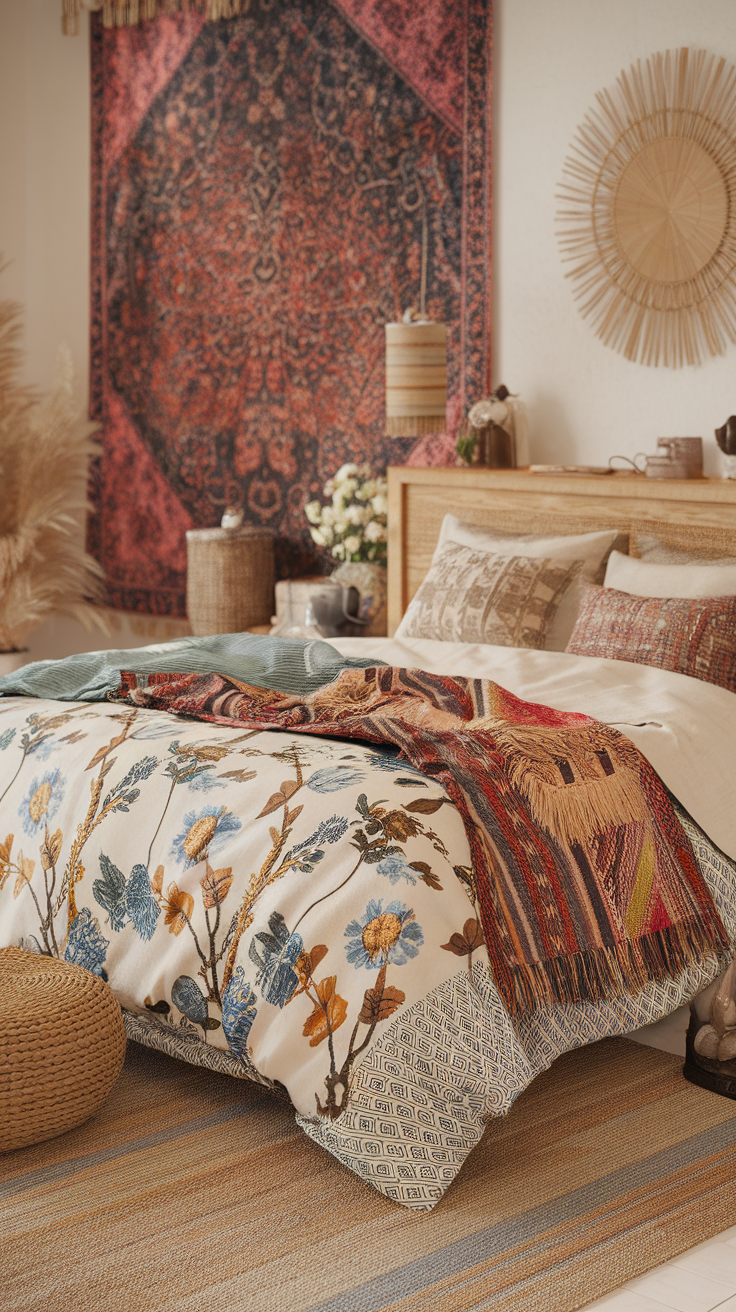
647	213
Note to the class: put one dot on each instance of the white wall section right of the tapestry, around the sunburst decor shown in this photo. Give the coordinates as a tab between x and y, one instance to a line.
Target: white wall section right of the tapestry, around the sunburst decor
586	402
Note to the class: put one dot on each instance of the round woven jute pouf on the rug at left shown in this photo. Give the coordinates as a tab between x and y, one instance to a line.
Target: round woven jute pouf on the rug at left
62	1046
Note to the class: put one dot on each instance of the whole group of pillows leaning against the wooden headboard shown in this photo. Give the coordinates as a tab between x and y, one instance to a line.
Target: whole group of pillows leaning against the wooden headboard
671	609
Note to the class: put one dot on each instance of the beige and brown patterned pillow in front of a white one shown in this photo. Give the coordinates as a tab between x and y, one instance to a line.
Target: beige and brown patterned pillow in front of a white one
478	598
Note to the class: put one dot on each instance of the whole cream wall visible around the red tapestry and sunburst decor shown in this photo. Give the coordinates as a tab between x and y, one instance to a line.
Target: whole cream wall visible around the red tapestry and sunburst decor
586	401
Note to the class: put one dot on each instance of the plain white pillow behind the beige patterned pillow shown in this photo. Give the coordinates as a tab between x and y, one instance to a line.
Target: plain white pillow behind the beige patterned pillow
591	549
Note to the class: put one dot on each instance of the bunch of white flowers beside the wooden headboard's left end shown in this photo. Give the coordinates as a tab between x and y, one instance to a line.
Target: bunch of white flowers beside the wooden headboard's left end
354	523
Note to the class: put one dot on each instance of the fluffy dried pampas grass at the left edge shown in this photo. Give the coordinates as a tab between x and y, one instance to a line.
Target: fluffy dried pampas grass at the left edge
45	453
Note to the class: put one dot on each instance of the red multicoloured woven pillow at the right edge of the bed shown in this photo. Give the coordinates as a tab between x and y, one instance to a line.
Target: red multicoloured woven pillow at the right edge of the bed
695	638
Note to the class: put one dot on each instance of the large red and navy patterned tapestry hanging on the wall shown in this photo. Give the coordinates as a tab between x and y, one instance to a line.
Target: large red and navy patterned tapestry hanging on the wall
260	187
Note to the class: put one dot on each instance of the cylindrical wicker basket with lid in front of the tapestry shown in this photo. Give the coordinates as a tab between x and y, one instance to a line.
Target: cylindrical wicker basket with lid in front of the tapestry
229	579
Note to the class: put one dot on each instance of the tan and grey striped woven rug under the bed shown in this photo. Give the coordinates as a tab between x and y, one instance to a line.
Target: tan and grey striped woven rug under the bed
196	1193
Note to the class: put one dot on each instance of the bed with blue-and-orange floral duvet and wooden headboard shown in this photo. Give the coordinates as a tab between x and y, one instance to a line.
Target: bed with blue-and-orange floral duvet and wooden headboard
287	902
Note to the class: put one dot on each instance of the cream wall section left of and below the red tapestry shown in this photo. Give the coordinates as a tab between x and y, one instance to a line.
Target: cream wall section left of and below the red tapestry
45	233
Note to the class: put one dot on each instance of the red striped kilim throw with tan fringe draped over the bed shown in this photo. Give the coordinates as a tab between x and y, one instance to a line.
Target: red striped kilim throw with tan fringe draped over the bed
586	880
